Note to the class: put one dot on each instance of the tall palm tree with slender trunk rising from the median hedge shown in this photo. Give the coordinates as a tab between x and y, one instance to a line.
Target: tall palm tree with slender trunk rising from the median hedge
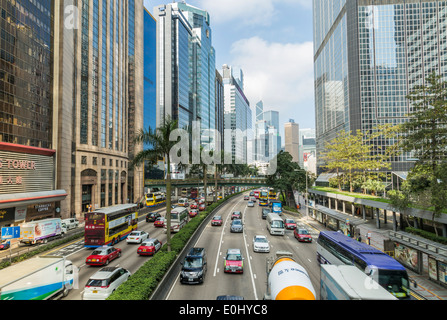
160	146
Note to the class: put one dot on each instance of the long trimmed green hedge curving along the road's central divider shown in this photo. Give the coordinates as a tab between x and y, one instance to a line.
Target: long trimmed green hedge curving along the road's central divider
145	280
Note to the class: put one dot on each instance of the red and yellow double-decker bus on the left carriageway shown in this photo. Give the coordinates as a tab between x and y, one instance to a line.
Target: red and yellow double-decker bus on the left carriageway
107	226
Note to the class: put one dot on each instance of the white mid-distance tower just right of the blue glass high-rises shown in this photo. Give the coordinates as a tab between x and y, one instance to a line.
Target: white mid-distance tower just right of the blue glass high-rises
237	114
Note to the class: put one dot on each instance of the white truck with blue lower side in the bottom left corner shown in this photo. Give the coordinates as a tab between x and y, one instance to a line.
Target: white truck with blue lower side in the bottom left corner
40	278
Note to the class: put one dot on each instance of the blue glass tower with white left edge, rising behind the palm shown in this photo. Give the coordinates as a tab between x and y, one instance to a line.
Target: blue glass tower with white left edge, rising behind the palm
186	68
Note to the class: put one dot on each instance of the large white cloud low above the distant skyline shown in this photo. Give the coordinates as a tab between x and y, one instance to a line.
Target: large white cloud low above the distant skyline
279	74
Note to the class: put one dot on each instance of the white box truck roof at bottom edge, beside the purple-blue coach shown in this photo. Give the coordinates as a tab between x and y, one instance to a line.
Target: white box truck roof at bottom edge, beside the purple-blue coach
347	282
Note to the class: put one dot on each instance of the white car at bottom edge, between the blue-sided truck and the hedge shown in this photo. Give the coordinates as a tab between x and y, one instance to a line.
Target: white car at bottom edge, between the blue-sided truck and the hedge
101	285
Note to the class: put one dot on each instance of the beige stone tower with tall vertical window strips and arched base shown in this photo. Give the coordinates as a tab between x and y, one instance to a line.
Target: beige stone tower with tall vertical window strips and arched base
99	64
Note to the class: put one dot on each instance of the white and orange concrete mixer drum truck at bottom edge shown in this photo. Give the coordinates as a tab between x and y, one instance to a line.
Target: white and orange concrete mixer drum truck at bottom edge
287	280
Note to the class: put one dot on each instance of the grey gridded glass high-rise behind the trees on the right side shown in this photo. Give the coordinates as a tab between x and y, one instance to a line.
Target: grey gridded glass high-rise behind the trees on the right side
368	56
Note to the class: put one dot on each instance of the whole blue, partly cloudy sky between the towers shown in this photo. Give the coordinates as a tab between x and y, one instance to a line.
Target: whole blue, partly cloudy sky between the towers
271	41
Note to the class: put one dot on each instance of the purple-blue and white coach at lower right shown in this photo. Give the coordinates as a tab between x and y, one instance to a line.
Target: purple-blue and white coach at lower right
338	249
